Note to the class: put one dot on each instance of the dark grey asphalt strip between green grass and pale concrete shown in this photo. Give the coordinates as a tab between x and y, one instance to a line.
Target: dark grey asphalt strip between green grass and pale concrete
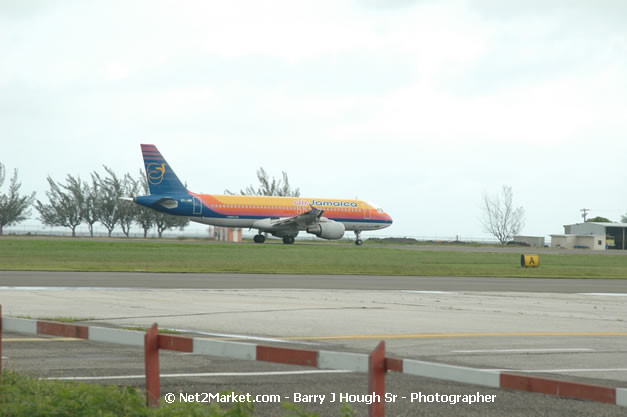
329	282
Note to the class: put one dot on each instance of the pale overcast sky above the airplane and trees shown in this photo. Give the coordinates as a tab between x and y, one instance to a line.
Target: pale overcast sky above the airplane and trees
420	106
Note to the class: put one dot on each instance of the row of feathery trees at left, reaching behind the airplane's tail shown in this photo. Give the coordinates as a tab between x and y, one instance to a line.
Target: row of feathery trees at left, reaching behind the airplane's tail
76	201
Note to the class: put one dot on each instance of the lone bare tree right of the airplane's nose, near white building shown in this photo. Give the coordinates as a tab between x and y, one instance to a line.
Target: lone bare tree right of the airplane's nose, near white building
500	218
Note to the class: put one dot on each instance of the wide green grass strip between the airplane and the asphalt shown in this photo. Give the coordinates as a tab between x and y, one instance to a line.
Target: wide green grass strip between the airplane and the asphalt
86	255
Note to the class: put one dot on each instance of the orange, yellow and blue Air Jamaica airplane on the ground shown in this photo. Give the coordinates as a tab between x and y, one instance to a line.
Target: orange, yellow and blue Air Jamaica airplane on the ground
282	217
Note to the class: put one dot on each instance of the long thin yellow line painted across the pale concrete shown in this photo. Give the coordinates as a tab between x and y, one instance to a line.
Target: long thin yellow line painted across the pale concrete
452	335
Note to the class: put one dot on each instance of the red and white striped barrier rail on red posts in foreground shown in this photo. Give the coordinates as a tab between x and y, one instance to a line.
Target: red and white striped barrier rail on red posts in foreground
376	364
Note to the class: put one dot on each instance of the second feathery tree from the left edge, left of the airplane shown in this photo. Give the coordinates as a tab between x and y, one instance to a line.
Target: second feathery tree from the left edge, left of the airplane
63	208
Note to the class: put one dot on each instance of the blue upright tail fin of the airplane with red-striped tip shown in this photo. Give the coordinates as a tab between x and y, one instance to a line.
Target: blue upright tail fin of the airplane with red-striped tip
161	178
